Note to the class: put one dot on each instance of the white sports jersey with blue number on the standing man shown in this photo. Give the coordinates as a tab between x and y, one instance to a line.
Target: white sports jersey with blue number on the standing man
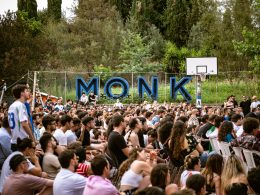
16	114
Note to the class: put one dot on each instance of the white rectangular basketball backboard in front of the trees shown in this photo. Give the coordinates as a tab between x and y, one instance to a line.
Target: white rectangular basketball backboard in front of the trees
205	65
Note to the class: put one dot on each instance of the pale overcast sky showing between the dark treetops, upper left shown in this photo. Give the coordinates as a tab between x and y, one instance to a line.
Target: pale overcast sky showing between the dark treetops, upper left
12	5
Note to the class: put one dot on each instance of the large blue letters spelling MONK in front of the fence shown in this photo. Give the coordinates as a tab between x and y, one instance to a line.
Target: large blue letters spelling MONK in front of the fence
143	87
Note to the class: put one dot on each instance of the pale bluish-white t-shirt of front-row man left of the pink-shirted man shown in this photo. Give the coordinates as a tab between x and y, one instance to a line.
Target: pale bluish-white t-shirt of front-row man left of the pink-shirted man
68	183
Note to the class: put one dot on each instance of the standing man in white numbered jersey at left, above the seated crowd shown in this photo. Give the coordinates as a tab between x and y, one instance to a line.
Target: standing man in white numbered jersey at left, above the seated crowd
18	117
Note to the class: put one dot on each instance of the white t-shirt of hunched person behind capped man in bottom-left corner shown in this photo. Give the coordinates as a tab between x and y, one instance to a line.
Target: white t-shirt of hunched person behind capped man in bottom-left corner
6	170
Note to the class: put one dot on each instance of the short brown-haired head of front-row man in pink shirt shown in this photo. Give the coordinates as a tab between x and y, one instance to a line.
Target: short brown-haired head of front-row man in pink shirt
100	166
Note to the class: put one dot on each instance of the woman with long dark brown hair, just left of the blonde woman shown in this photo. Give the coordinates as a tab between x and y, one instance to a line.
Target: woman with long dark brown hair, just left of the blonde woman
212	173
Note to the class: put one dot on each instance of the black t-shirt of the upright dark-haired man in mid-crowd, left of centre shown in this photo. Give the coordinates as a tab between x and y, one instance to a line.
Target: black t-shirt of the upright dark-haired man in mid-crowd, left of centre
116	143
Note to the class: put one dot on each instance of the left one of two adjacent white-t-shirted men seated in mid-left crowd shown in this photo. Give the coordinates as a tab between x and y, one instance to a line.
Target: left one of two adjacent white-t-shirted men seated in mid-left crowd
59	134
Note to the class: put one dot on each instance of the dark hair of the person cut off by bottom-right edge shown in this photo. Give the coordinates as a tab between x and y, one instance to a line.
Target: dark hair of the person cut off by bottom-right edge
253	178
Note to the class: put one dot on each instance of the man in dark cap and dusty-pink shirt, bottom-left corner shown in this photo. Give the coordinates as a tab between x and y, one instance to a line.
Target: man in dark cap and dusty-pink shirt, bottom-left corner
19	183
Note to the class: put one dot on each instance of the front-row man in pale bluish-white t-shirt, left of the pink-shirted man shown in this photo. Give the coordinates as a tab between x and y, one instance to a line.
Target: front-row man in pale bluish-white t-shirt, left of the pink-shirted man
67	182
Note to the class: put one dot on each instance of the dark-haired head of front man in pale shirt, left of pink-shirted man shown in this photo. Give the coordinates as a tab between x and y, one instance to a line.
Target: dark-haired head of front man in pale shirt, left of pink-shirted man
68	159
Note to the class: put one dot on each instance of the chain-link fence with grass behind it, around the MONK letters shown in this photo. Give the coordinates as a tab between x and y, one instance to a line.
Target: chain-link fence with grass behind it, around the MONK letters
215	89
